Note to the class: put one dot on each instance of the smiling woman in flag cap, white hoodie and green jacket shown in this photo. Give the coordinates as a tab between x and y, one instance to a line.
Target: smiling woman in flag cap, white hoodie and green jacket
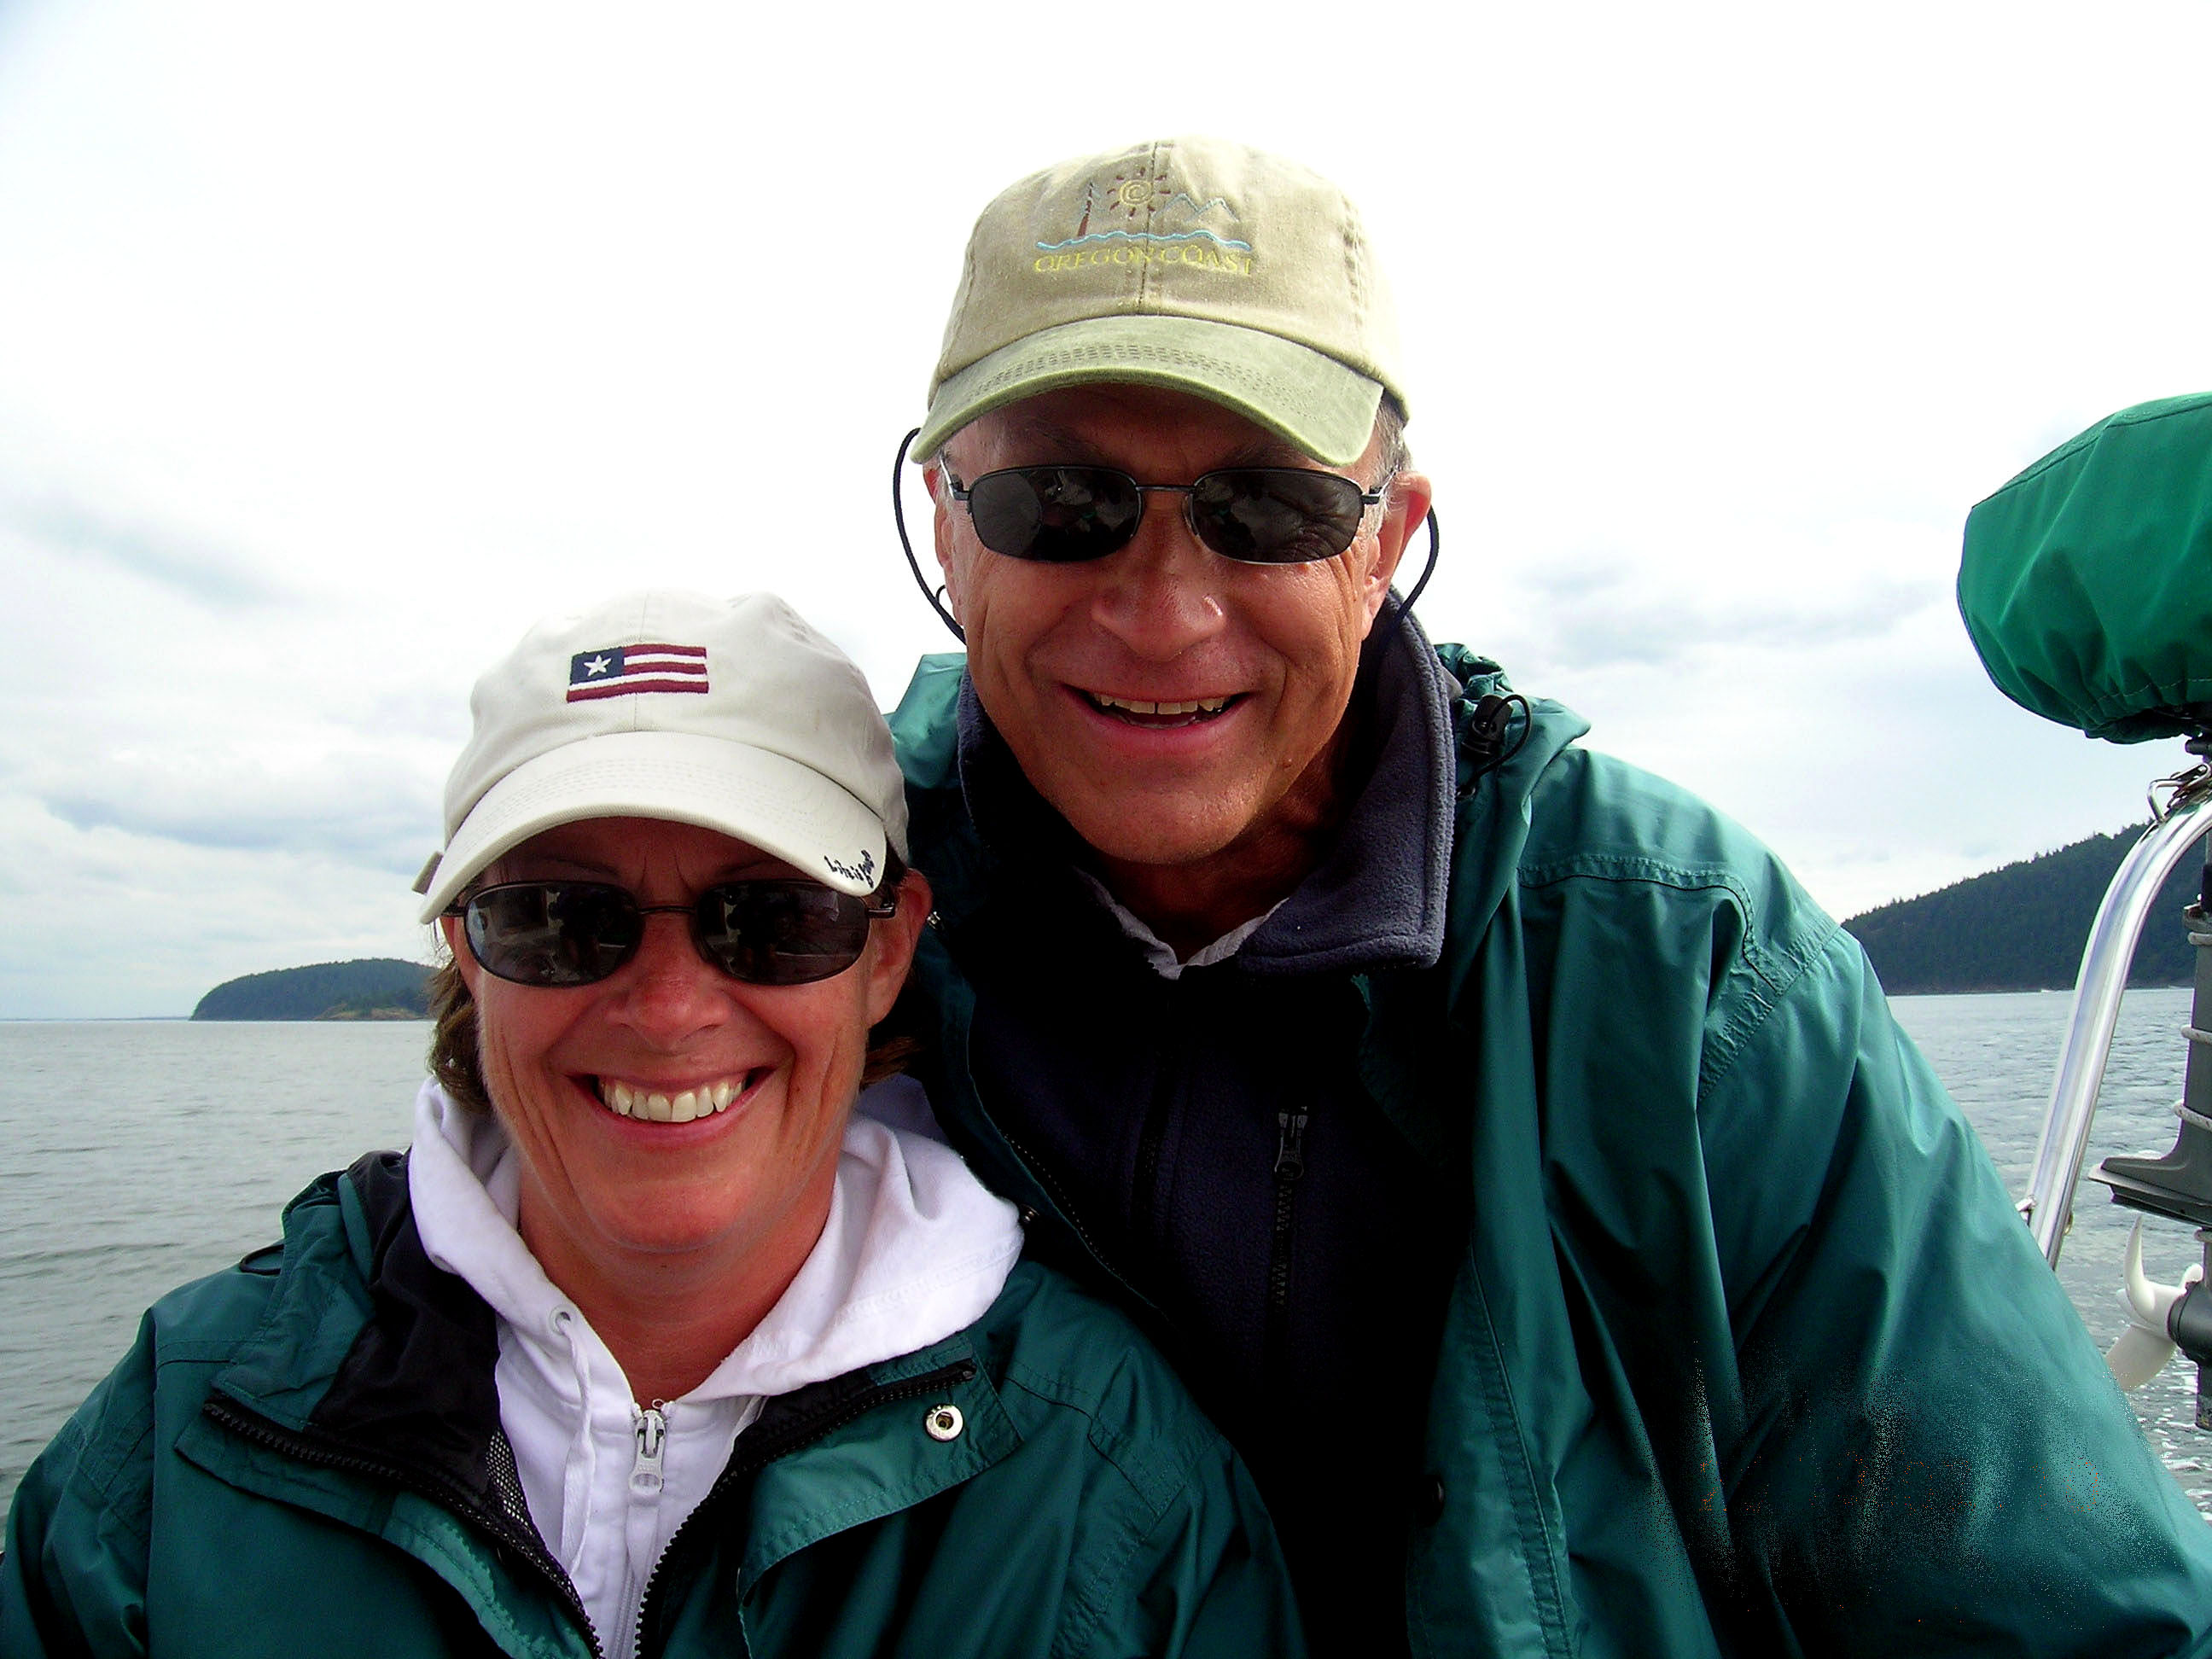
651	1344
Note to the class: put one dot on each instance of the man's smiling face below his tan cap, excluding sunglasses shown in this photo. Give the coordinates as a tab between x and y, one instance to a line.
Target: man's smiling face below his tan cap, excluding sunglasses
1169	702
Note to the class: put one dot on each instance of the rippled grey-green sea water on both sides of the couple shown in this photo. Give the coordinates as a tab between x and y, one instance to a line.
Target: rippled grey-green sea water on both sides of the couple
136	1156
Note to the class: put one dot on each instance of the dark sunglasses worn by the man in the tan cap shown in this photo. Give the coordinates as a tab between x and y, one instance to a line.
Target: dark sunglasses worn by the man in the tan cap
1246	514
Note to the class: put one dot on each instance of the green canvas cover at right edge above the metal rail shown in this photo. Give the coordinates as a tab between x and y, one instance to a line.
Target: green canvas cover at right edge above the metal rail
2087	581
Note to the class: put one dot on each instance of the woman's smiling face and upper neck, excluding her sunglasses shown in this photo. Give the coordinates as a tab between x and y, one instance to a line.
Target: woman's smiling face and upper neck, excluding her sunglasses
603	1191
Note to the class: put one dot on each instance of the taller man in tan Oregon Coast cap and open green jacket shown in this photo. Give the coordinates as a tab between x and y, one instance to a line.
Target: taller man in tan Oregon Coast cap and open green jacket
1521	1169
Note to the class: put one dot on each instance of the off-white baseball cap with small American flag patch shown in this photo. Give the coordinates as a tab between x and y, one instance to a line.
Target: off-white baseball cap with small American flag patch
727	713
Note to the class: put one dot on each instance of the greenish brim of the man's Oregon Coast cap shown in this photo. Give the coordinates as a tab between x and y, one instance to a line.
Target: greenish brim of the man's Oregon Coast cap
1293	390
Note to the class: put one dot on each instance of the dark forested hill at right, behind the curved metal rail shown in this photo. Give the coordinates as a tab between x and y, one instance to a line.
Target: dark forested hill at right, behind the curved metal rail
2023	928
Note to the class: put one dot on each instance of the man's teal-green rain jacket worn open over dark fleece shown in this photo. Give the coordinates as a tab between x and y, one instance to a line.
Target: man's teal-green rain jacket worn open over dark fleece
1749	1350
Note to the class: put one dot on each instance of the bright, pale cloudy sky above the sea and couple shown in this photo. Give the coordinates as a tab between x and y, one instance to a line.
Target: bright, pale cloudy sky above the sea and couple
342	344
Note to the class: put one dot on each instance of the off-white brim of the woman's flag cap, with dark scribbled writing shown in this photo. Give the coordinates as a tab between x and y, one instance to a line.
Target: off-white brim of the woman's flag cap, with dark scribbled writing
753	795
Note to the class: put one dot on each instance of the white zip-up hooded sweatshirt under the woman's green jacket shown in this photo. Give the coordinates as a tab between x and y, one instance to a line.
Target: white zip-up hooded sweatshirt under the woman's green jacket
915	1251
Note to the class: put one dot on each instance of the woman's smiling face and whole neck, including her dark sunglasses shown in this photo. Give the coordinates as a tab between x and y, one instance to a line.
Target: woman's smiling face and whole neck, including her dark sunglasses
676	1127
